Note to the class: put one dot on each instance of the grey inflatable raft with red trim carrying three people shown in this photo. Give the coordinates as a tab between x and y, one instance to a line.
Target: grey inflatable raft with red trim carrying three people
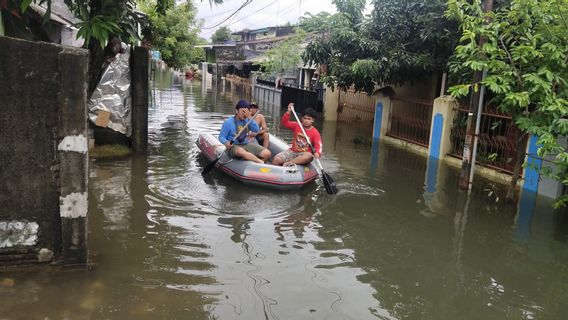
251	173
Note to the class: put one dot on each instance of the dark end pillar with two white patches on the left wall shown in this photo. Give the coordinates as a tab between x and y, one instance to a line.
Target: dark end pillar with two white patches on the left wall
72	150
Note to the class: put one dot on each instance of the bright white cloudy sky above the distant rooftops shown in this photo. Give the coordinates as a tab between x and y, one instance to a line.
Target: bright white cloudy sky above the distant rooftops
257	14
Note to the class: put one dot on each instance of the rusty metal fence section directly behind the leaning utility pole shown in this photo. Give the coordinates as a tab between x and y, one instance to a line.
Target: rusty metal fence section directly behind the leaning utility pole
498	135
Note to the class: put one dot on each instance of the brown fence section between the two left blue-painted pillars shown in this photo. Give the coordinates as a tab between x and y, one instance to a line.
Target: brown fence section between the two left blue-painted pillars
410	120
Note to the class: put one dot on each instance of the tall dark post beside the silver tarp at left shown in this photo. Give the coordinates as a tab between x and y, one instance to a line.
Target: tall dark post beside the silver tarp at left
140	92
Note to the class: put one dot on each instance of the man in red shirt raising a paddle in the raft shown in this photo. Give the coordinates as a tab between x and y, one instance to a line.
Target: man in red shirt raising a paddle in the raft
300	151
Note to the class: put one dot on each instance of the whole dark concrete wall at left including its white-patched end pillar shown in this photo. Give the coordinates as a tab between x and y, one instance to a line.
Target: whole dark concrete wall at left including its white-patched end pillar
43	154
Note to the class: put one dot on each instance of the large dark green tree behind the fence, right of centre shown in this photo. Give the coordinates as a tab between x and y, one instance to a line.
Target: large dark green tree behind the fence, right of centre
401	41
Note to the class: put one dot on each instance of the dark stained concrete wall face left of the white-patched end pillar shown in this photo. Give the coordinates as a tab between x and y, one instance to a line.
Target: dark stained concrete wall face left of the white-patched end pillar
29	161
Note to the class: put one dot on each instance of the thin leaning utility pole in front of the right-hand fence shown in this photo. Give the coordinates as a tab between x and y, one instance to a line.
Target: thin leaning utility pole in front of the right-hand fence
473	114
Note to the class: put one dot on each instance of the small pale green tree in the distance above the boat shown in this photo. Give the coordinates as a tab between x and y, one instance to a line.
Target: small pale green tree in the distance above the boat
285	57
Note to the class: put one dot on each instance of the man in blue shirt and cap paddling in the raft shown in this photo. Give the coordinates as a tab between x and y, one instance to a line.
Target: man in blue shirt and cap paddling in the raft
239	147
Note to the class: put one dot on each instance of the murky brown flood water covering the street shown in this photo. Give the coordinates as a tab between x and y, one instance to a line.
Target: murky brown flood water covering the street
397	242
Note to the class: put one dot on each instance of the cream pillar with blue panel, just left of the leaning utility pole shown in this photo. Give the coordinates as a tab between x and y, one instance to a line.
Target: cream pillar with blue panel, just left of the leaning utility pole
442	118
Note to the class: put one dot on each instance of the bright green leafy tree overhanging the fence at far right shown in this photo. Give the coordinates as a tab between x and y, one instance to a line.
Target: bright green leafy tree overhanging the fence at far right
525	56
